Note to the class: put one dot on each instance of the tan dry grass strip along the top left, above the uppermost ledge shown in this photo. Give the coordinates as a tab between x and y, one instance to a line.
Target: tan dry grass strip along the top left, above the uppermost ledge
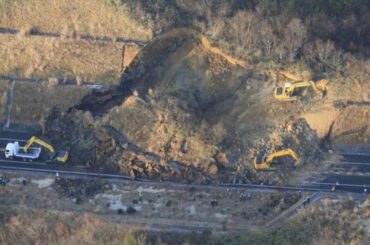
94	17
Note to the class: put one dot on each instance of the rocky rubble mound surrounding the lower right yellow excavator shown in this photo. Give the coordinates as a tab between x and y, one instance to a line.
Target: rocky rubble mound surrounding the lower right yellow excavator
295	135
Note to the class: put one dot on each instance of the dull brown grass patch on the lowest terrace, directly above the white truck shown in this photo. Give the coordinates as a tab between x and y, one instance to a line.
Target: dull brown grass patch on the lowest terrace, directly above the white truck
41	99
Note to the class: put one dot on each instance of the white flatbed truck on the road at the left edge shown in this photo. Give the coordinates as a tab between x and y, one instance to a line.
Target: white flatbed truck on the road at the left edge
14	150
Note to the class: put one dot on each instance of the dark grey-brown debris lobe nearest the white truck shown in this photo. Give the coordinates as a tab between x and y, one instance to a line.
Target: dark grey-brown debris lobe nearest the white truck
88	143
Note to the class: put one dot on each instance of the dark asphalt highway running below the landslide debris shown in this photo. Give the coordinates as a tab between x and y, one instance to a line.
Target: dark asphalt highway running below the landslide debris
353	182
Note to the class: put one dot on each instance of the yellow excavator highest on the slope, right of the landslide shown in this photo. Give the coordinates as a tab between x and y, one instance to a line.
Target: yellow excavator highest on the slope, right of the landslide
290	90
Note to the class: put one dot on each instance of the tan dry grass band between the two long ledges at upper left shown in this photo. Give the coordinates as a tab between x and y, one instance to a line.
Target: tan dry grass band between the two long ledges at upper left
46	57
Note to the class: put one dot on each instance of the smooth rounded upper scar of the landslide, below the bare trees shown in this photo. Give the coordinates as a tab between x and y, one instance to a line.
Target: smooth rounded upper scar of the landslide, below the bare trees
183	64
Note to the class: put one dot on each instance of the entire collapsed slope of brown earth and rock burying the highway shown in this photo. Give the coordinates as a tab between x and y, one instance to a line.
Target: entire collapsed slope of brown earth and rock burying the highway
184	111
